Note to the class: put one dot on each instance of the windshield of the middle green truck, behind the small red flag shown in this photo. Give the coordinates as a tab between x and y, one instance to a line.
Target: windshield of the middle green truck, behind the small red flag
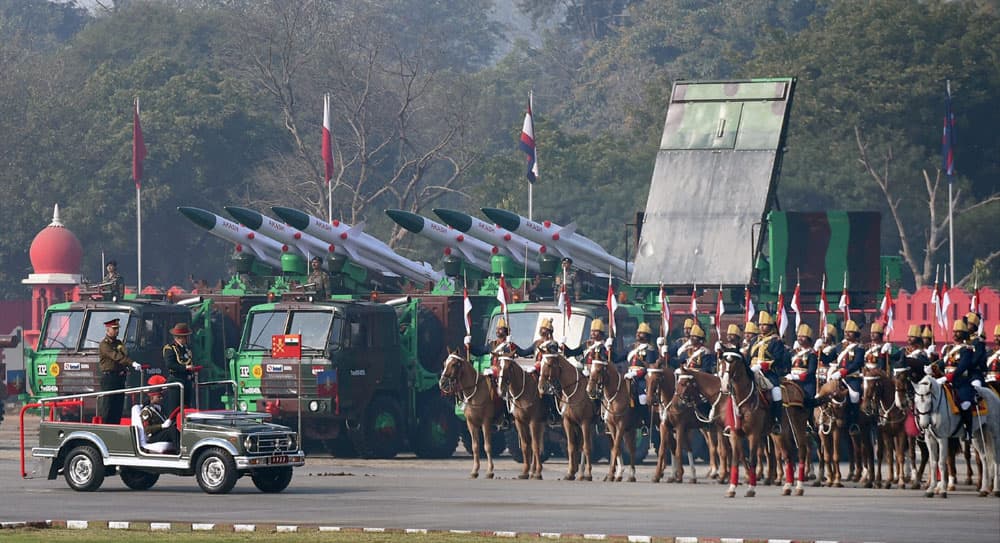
313	326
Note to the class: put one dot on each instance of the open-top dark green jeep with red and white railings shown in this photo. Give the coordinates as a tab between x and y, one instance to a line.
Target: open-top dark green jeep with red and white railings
216	446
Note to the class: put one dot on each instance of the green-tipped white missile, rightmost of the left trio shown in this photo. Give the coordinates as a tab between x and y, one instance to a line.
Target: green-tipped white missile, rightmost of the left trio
360	246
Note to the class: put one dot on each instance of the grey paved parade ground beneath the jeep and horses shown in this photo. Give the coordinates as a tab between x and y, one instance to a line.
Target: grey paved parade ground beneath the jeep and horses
437	495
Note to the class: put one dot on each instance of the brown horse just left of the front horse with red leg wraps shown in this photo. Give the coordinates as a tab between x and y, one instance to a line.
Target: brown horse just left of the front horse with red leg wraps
701	387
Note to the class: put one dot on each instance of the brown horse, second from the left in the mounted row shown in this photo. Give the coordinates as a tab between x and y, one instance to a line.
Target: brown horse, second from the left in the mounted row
520	389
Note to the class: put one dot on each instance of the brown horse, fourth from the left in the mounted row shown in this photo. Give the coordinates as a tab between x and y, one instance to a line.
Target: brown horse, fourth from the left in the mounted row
622	417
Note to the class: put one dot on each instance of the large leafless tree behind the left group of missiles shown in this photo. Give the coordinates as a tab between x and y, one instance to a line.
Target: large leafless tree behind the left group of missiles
399	115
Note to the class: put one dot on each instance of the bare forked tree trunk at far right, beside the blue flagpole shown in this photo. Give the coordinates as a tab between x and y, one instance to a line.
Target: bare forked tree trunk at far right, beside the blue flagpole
880	169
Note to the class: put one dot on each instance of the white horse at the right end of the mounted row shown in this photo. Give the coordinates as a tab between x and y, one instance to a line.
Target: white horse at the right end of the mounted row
937	422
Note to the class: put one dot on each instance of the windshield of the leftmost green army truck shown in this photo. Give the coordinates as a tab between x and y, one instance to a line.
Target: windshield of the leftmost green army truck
73	329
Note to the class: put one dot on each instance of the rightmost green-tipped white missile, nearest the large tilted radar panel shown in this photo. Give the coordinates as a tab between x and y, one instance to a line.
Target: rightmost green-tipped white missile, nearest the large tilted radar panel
564	240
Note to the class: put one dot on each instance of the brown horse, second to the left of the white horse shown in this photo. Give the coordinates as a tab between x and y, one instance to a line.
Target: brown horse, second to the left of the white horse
879	399
